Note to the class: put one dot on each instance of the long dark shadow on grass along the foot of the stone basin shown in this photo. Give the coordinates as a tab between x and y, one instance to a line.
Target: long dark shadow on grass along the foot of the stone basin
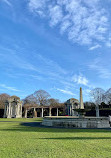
37	127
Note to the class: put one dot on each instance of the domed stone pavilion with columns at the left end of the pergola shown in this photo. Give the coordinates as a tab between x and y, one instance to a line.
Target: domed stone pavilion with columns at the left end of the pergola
13	108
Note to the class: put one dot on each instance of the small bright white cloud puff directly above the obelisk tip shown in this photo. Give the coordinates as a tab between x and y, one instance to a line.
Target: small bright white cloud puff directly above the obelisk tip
80	79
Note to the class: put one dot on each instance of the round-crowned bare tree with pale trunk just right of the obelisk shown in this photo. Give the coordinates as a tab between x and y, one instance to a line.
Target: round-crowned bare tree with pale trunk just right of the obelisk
97	96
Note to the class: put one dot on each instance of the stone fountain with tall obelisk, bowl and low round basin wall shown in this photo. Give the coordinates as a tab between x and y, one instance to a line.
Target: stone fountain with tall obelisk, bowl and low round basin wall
79	121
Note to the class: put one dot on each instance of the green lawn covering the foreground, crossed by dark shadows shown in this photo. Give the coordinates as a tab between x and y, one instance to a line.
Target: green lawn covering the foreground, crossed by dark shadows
20	141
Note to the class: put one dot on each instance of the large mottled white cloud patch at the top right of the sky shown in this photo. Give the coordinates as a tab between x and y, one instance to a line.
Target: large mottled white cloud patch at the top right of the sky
84	21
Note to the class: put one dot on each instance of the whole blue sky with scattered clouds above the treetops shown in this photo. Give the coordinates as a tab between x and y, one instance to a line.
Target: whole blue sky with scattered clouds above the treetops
55	45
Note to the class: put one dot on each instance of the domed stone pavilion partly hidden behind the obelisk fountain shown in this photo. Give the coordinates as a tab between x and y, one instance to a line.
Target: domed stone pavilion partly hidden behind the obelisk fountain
70	105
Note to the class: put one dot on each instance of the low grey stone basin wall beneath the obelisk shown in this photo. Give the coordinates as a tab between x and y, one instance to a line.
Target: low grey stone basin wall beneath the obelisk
72	122
